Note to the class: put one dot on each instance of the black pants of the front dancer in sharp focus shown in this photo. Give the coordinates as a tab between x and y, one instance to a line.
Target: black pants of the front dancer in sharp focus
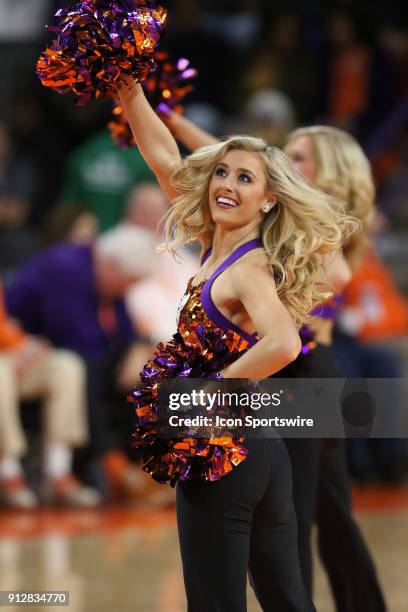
245	520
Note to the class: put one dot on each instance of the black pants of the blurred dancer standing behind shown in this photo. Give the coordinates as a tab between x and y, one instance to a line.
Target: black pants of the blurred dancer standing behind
321	490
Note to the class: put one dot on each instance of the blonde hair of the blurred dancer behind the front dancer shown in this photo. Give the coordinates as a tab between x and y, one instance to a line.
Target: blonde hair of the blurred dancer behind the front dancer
344	172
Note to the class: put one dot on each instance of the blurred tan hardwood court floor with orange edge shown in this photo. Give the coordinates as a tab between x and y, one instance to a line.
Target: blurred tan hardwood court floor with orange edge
127	560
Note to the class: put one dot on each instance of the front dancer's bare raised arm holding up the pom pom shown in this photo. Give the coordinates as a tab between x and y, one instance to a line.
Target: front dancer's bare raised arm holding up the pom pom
154	140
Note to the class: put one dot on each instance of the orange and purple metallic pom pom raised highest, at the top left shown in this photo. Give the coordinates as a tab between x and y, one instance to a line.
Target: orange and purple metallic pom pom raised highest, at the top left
98	44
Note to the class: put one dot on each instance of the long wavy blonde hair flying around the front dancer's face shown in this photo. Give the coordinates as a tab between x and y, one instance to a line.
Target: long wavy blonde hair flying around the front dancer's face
304	225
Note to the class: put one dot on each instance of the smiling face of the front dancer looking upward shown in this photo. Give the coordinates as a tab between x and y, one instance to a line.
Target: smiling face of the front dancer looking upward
237	190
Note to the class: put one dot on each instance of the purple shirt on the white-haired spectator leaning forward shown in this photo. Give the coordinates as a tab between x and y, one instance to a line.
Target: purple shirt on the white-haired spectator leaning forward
54	295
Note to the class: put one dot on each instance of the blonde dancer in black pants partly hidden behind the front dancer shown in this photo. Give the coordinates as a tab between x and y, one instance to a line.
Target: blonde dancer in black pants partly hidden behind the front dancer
333	161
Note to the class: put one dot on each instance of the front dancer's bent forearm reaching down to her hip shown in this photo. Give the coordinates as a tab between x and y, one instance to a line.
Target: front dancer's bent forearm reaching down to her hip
265	358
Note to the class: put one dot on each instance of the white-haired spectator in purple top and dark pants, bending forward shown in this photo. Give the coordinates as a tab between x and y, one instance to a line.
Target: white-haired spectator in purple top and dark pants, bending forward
73	296
